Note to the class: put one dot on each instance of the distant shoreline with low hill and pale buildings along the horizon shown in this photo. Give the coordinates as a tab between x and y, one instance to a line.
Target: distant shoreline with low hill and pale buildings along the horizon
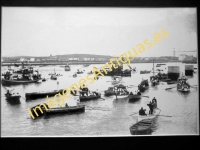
95	58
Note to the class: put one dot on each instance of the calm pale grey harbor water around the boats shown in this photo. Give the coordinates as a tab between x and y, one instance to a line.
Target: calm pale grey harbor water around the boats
178	116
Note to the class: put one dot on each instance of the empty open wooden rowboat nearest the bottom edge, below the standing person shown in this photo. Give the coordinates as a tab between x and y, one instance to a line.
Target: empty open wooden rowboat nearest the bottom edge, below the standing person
141	127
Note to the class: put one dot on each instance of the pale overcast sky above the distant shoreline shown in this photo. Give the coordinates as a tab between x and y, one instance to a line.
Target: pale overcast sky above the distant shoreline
33	31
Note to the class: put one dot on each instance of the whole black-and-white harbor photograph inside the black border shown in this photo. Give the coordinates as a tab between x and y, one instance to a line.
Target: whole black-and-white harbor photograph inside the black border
99	71
